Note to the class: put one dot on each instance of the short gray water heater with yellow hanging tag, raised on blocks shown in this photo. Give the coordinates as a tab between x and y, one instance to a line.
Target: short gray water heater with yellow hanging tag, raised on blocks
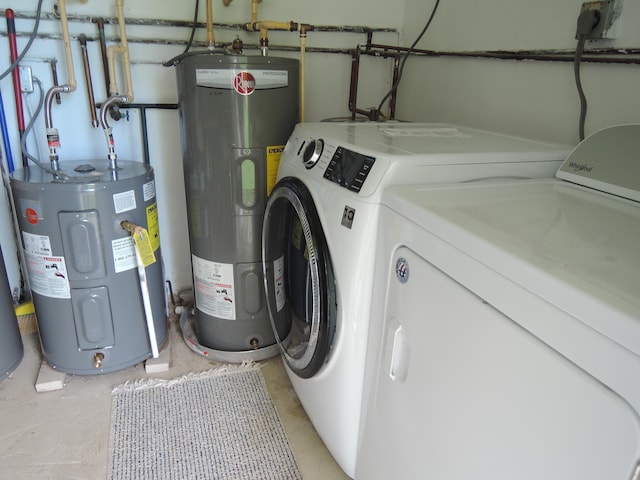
82	266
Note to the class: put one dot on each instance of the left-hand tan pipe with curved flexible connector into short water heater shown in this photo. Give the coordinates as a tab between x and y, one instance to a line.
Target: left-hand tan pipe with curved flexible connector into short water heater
53	138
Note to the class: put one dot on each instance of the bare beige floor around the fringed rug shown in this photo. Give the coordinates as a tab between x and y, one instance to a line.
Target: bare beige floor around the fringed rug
64	434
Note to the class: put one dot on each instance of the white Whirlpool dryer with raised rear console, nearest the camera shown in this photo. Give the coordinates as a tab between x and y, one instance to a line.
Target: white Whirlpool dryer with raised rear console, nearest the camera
507	339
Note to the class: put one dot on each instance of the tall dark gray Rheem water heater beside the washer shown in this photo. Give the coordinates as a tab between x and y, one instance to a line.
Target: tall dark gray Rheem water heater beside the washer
236	115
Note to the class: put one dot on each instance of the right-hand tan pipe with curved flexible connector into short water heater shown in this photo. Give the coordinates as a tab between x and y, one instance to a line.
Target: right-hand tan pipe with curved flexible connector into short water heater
114	96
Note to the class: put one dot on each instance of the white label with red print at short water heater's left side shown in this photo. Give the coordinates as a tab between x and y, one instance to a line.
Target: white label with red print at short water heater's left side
48	275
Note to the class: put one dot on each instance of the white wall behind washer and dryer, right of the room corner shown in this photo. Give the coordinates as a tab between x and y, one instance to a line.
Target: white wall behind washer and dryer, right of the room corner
530	98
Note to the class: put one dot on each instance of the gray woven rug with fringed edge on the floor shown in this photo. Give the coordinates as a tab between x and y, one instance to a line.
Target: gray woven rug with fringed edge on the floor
218	424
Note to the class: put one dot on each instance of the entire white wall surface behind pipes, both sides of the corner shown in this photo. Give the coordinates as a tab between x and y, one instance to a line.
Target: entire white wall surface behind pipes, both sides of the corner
530	98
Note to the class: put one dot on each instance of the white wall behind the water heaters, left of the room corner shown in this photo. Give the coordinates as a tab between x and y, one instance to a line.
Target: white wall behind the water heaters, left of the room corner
327	88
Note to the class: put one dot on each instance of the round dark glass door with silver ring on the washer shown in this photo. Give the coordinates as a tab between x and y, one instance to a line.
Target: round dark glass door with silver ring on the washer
299	281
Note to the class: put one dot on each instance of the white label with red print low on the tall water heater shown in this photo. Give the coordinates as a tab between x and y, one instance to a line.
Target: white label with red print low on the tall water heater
214	288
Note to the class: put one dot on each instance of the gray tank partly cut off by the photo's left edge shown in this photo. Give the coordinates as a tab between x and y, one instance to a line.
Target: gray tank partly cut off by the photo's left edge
11	349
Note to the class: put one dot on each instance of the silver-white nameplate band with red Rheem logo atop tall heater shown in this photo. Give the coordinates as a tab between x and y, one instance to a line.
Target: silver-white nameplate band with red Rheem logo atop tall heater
228	78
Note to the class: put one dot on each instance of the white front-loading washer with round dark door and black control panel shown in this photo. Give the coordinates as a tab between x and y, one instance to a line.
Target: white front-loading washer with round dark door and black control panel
319	241
